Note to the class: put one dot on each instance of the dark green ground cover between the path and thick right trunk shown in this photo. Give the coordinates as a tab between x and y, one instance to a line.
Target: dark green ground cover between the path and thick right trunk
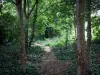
67	54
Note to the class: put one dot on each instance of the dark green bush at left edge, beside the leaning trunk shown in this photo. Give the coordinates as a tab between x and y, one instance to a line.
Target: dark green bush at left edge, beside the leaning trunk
8	27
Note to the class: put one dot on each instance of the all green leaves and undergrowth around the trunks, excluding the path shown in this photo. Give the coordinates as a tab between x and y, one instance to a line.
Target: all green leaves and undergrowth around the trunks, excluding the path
58	14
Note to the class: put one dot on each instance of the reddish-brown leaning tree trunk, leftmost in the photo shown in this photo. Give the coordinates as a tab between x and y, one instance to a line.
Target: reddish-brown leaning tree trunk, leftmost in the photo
23	50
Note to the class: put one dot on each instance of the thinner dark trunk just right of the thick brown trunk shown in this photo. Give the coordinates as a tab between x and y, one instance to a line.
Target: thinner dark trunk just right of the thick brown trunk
88	52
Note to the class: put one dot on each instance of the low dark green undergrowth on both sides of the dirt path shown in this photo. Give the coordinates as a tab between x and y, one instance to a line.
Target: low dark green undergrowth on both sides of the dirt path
10	65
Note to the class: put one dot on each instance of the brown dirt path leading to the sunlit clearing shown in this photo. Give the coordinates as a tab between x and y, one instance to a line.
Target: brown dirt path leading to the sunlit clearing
50	65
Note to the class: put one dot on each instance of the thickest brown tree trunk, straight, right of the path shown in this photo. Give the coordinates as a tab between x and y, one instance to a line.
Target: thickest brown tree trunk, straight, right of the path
80	36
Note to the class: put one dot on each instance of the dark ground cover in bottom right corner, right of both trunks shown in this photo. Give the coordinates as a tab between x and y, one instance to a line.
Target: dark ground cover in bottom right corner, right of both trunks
95	67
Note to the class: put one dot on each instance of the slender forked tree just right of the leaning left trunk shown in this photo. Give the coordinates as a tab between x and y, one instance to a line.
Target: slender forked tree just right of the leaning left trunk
27	13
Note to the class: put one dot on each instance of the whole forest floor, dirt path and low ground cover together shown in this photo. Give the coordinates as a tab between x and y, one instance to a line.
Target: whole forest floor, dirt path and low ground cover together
43	58
